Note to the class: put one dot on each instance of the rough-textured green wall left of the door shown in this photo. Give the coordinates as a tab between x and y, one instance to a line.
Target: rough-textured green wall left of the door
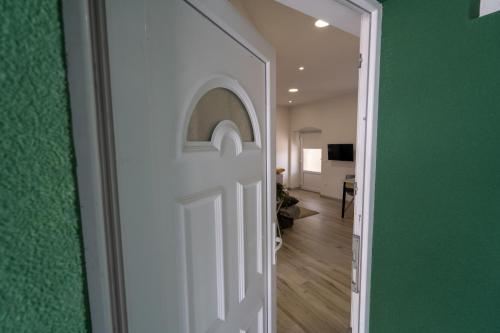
42	287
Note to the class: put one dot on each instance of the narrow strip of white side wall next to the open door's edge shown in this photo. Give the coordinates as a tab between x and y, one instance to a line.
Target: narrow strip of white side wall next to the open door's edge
282	141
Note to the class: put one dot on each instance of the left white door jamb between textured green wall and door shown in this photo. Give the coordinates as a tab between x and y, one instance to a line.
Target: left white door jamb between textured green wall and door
88	78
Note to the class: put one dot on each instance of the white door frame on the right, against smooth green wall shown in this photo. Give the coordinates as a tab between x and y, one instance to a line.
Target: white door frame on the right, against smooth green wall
366	141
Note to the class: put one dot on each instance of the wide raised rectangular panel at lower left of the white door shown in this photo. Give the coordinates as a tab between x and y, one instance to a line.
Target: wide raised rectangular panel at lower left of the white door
202	243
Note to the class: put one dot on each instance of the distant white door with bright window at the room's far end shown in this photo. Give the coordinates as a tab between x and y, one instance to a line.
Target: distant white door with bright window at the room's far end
311	161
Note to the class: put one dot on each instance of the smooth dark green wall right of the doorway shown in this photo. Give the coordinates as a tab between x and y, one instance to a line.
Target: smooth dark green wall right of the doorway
436	254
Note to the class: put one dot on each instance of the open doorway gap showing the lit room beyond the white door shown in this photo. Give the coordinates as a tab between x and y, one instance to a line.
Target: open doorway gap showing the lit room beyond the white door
317	71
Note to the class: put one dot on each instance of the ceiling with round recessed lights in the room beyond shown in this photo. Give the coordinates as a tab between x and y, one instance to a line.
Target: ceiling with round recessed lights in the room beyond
329	55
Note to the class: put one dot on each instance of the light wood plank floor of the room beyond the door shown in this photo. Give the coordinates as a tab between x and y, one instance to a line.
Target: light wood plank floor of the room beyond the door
314	269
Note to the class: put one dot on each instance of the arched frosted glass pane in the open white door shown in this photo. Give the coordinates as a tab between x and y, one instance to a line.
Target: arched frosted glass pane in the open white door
216	105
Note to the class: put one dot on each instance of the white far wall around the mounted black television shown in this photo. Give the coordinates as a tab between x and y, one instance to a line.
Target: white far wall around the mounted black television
336	118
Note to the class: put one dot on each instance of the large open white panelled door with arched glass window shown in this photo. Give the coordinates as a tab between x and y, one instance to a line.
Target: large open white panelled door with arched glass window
190	121
